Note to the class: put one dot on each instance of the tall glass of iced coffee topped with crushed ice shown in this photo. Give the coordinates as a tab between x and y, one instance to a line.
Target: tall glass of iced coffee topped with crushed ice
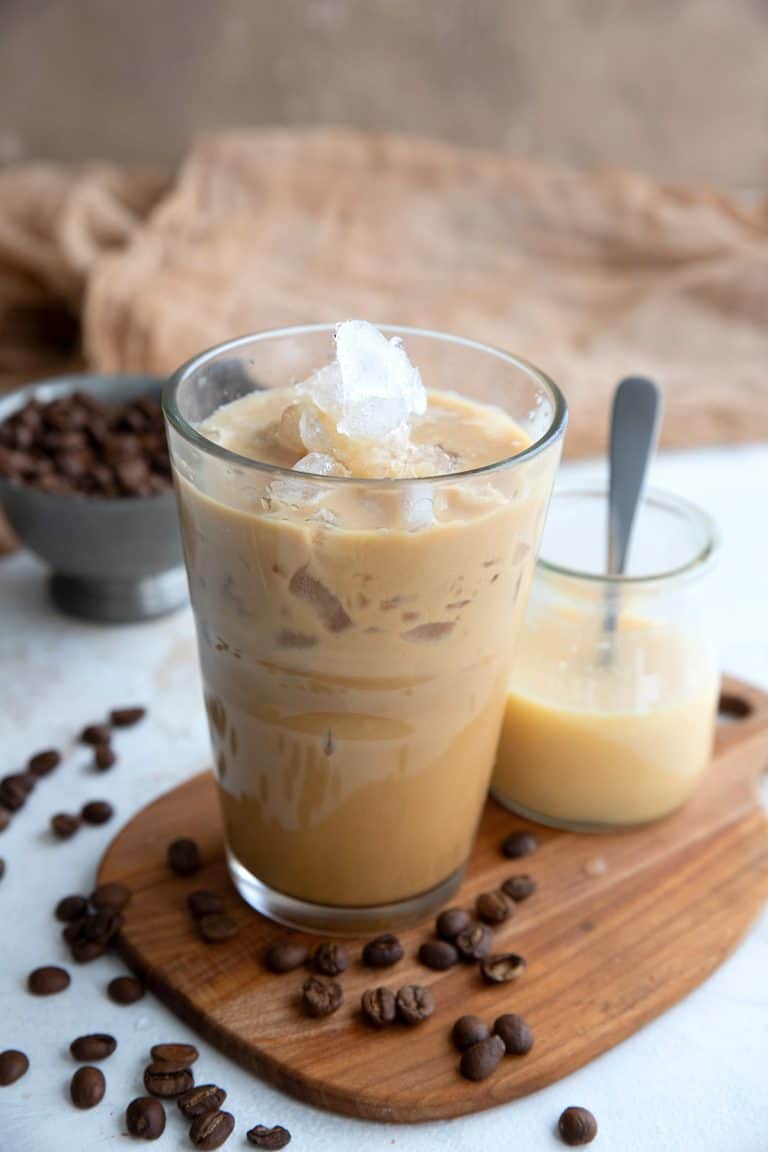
361	512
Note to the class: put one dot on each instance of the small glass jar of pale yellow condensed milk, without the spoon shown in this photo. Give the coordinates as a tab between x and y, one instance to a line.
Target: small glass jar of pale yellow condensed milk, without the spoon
610	729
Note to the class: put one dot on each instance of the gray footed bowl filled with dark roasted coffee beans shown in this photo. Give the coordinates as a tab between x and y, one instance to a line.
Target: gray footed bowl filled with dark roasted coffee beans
86	483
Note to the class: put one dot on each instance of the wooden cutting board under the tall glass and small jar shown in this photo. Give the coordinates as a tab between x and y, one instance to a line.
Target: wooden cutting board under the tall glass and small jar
609	948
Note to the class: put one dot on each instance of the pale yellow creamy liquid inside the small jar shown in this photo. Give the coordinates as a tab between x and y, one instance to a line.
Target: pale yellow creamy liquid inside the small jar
605	746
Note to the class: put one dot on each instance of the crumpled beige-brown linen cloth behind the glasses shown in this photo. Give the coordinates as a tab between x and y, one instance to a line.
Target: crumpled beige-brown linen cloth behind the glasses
591	276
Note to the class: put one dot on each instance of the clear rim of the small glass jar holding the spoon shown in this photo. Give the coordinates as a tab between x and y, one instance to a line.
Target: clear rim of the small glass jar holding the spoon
658	498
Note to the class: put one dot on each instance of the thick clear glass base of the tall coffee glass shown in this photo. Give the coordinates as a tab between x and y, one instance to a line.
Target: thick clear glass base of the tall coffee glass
326	919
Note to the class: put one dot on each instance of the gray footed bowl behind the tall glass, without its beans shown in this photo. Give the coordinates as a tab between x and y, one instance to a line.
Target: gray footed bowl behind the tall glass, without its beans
112	559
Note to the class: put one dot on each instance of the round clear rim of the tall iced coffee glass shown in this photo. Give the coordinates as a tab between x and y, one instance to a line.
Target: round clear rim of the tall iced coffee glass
554	433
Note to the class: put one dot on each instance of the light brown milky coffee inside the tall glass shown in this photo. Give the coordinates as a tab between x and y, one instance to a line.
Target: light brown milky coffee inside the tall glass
355	650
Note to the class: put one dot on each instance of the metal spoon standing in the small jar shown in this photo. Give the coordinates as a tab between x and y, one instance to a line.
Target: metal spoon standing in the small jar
635	421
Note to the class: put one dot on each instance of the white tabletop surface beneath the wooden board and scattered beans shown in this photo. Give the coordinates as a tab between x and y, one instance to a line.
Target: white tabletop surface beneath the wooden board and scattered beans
695	1079
